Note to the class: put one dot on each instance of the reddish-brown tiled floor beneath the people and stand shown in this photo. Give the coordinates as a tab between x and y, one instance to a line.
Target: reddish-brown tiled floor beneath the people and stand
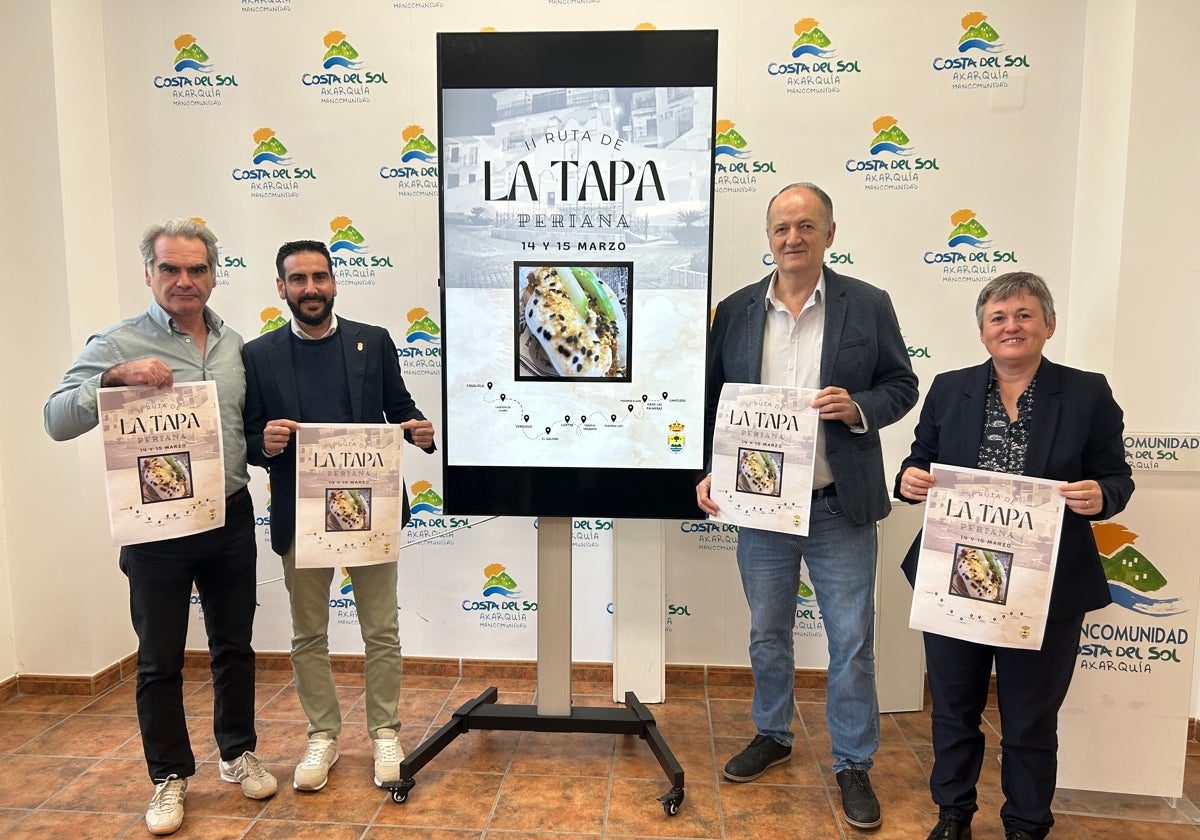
71	767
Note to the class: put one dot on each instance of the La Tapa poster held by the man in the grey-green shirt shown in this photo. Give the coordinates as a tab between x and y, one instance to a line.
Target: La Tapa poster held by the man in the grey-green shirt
164	465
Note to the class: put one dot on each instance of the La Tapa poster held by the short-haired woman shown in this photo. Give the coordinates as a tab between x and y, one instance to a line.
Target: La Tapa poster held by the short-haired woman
988	556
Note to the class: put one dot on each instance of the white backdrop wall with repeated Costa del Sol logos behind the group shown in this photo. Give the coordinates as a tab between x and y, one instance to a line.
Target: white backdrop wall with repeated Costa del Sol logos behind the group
277	121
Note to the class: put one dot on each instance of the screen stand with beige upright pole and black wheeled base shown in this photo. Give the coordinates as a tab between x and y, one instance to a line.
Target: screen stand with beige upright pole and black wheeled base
554	712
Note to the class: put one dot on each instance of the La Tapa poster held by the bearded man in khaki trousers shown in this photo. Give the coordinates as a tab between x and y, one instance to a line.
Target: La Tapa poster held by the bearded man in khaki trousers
349	495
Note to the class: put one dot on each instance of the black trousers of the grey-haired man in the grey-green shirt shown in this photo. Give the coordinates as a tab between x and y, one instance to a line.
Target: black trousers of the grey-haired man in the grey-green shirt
224	565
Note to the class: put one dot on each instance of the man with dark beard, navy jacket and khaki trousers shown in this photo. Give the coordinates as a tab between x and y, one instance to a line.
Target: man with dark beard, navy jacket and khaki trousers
323	369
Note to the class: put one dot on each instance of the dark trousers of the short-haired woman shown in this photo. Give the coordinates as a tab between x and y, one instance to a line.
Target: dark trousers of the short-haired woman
1031	687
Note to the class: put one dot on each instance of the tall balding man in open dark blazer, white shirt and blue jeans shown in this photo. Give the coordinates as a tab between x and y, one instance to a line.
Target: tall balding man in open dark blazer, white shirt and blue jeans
805	326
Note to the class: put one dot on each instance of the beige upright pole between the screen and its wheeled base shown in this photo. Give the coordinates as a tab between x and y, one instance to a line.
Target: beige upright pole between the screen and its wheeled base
554	616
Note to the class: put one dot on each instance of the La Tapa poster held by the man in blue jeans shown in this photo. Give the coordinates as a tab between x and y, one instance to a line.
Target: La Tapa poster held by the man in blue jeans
764	452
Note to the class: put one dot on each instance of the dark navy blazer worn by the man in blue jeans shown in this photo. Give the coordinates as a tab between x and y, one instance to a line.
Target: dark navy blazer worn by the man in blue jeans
862	352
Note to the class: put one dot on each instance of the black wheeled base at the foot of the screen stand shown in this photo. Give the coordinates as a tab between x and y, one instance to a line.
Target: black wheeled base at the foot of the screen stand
484	713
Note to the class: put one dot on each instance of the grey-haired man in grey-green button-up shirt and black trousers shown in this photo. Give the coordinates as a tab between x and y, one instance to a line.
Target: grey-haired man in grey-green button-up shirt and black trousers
179	339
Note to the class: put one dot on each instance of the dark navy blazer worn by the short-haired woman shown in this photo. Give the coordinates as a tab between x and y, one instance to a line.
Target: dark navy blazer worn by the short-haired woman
1077	433
